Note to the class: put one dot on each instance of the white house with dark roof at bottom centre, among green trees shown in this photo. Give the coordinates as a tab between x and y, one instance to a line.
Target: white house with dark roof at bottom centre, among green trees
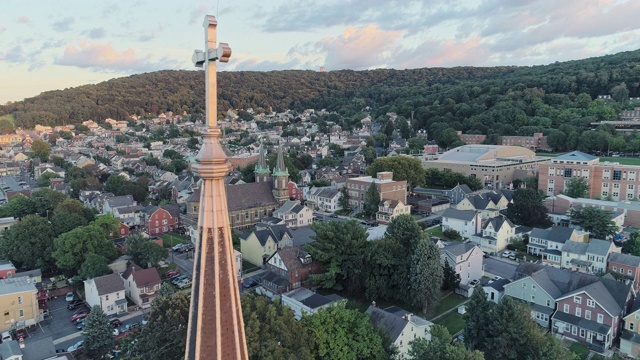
401	326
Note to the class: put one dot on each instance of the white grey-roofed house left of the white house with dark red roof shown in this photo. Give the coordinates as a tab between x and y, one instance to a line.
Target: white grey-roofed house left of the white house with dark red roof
107	292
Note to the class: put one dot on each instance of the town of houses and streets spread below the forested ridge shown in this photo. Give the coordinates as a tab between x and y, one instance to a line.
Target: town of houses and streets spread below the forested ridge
556	232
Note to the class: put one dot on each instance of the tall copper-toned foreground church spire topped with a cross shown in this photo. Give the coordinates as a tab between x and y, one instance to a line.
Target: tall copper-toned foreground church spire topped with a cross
216	328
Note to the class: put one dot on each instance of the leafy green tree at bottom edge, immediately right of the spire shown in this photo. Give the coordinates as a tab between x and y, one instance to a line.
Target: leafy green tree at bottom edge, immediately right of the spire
272	332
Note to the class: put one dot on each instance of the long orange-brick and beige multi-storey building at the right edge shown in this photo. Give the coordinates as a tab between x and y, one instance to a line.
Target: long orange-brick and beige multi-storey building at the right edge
607	180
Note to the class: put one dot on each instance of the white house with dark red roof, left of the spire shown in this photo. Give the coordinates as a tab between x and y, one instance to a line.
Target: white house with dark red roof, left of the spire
141	285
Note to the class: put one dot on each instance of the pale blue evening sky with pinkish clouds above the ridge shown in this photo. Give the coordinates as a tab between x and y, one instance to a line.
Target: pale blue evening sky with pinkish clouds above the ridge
56	44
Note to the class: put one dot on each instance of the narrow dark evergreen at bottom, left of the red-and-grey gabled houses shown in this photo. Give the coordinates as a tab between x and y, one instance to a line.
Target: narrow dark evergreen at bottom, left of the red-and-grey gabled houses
477	320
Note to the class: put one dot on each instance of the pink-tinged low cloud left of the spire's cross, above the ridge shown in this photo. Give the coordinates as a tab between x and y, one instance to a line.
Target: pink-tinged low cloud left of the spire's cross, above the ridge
103	57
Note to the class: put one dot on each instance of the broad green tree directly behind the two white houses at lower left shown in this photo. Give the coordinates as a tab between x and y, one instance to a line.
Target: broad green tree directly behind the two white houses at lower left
72	248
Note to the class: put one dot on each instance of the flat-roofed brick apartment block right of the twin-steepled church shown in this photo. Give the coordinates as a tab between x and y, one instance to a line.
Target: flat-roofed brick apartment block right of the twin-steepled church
388	189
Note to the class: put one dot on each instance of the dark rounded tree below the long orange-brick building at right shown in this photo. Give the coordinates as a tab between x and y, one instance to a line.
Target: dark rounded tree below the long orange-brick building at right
528	209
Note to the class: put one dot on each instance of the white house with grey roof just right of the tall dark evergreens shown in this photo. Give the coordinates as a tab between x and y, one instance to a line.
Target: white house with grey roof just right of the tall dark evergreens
466	258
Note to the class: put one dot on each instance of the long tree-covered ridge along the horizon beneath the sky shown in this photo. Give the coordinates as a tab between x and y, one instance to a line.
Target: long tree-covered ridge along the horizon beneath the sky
472	99
